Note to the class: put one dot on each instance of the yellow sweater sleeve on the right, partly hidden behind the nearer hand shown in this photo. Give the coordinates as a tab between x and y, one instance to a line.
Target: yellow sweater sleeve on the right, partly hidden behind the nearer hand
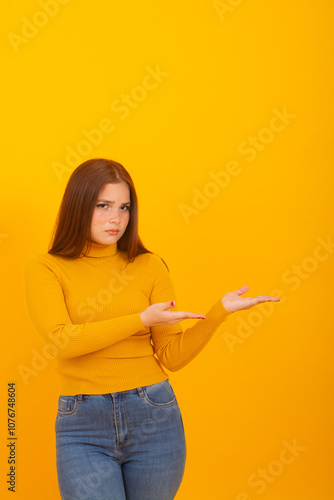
174	347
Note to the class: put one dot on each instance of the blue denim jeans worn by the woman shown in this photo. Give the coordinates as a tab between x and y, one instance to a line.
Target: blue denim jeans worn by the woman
127	445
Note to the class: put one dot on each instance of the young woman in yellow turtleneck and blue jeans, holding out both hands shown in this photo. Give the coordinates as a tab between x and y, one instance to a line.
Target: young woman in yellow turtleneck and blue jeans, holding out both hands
104	304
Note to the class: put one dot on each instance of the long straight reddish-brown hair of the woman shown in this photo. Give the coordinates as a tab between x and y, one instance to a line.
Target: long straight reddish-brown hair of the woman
71	234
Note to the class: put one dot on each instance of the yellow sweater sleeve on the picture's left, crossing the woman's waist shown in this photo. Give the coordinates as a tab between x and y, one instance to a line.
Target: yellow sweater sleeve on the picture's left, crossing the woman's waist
47	310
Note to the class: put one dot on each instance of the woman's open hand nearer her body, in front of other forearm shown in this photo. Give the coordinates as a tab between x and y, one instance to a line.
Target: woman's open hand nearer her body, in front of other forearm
158	314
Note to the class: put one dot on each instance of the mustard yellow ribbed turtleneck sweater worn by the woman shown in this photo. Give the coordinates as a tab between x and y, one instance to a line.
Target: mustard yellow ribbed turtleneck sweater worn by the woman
88	311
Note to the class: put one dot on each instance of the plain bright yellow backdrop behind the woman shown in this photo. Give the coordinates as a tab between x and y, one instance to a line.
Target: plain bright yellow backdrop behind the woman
224	71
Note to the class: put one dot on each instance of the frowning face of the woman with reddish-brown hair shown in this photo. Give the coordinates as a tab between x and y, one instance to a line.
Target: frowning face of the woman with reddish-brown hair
111	213
